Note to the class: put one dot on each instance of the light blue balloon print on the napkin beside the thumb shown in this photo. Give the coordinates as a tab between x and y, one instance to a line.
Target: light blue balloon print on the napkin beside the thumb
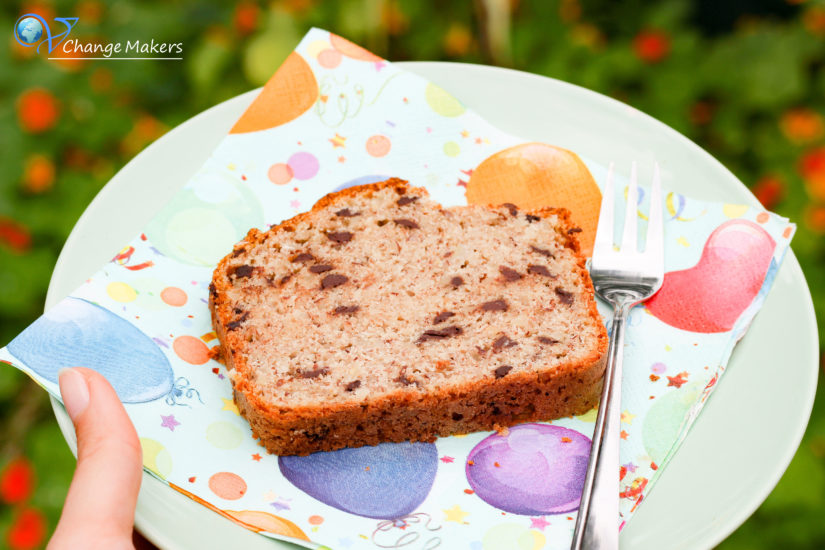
78	333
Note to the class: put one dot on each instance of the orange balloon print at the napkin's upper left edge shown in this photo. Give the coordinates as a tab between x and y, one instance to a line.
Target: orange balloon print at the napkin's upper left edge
290	92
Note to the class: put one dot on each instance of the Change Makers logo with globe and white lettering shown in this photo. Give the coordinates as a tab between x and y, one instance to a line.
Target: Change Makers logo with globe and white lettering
32	31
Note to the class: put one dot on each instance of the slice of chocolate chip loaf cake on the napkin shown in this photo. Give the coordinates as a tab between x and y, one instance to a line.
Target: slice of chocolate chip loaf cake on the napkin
381	316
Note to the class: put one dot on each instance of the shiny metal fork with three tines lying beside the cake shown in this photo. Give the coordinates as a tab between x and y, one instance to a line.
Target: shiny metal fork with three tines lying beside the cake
623	278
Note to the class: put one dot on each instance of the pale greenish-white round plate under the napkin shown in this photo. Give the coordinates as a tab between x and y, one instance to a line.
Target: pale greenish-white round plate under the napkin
747	433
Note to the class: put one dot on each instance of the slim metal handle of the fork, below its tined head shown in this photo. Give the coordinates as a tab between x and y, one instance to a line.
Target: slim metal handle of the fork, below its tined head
597	522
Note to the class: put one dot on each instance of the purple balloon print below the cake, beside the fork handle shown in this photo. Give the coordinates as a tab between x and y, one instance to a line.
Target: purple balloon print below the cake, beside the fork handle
535	470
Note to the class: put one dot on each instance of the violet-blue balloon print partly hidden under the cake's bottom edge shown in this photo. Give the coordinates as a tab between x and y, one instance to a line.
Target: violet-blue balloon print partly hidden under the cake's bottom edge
387	481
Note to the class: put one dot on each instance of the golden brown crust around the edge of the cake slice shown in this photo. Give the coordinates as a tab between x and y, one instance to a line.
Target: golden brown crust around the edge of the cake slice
406	414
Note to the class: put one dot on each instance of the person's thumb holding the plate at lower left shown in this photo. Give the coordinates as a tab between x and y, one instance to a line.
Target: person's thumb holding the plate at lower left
100	507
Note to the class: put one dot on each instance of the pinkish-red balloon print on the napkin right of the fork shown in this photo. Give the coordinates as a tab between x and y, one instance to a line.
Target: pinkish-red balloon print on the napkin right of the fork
710	296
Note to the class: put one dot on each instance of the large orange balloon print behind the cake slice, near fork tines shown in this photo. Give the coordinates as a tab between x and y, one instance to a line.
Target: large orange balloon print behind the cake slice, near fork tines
534	175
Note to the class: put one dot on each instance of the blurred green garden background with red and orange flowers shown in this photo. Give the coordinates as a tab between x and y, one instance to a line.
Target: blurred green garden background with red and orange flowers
744	79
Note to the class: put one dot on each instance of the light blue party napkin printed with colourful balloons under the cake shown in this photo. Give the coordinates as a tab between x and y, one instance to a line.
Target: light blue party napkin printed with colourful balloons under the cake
334	115
